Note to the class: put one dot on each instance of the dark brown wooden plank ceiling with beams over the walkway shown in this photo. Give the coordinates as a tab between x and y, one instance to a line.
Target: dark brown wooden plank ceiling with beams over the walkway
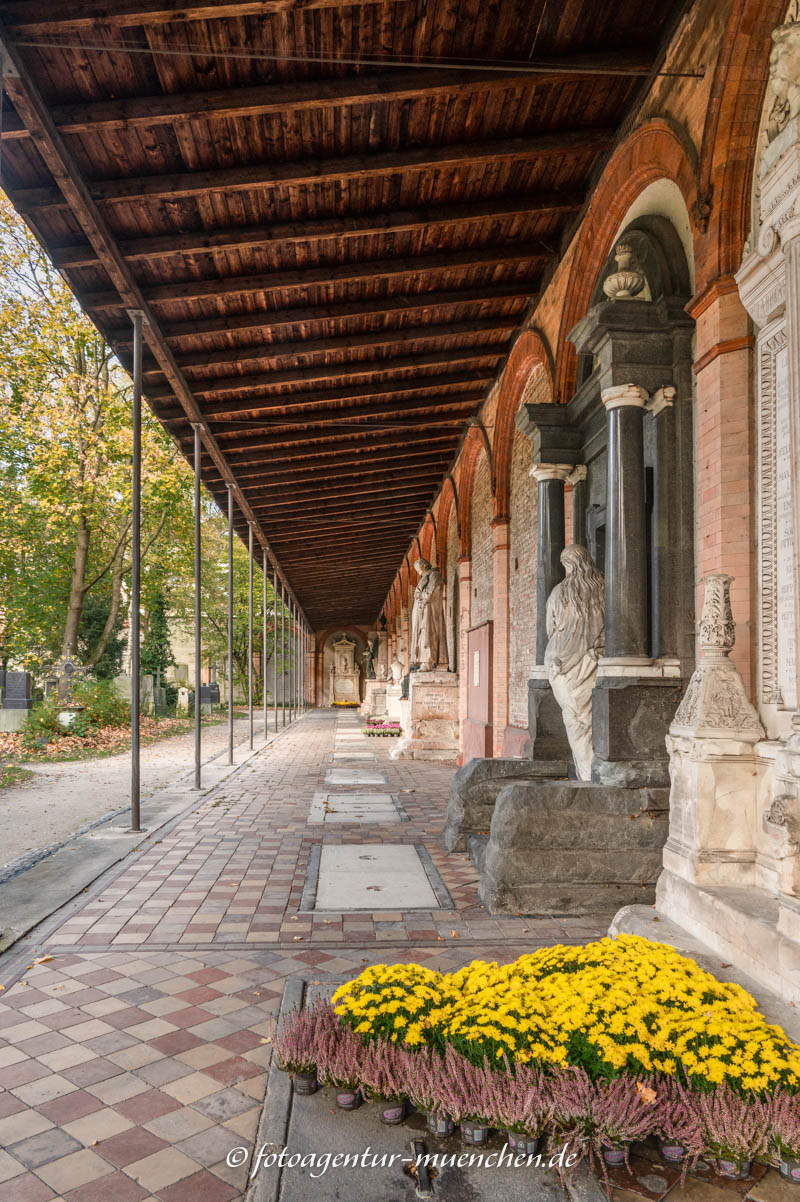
335	217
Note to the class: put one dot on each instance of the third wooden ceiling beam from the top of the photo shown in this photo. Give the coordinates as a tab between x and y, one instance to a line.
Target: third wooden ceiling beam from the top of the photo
311	172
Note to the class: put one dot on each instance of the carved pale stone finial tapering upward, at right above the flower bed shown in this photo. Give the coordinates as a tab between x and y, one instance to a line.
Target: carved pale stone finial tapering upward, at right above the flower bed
715	705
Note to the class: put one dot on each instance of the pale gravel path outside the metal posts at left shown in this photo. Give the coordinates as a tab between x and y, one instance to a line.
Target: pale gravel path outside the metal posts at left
63	798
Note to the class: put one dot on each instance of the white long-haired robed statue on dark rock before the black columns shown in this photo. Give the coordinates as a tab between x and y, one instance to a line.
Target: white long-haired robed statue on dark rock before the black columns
576	623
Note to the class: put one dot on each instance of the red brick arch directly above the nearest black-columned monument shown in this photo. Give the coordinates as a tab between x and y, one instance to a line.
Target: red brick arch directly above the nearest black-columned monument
655	151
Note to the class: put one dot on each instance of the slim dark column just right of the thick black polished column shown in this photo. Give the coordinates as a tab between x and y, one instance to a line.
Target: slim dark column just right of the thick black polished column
664	616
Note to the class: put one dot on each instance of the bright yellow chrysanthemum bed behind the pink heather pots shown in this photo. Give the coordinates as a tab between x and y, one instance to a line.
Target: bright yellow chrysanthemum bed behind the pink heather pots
624	1005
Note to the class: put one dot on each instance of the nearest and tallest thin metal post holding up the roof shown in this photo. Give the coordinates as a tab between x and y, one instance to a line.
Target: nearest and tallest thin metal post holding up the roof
136	566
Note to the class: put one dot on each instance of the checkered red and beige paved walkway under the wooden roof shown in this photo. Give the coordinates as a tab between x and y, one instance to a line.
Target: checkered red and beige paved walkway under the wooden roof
135	1058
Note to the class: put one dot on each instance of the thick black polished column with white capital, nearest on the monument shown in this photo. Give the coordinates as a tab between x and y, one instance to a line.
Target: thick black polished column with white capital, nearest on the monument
626	556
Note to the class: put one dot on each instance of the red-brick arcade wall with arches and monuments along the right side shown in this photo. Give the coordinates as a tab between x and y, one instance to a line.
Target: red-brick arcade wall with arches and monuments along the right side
662	430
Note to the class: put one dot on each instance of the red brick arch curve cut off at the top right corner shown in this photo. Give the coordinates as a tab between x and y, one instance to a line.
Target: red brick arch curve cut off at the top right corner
731	136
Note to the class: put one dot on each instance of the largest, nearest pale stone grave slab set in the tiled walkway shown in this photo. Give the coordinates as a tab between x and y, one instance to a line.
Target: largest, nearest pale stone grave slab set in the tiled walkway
373	877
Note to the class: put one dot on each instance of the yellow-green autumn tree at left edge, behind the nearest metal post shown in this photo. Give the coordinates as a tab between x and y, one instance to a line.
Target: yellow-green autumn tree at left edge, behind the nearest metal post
65	466
